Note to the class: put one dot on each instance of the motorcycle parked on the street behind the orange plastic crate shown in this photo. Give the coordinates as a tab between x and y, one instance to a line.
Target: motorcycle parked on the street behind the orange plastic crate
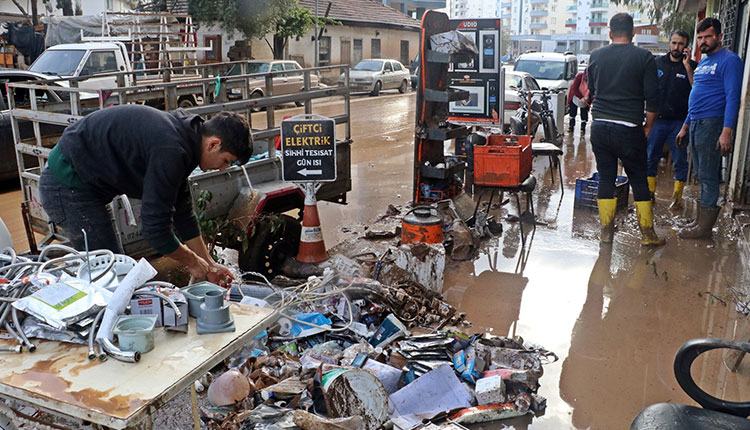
540	113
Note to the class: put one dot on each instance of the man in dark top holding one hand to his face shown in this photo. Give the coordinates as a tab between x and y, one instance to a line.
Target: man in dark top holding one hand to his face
675	71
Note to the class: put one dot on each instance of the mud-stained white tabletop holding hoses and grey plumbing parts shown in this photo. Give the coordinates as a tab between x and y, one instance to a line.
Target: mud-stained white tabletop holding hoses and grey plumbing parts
59	377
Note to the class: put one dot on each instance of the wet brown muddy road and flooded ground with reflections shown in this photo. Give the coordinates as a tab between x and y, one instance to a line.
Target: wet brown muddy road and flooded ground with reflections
615	317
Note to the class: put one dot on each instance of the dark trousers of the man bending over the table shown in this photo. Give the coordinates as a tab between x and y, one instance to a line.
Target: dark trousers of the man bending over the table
76	209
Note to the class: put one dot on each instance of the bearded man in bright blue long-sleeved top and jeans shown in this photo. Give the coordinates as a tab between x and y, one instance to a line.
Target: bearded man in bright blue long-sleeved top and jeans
712	117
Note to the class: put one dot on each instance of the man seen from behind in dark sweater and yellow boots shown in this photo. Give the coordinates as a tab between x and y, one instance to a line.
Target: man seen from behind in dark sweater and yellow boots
621	78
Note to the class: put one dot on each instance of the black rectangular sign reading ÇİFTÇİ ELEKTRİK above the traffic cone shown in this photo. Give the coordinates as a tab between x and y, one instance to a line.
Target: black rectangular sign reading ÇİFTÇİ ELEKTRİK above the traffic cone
308	149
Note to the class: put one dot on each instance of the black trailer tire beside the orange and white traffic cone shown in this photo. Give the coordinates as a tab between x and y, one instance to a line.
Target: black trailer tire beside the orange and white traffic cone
268	250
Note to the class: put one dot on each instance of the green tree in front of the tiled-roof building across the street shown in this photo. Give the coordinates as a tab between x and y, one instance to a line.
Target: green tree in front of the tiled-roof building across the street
252	18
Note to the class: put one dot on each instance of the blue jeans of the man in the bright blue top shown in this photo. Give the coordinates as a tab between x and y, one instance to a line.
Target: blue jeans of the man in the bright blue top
704	137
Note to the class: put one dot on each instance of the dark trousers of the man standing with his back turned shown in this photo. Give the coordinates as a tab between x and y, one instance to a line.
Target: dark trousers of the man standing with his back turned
611	142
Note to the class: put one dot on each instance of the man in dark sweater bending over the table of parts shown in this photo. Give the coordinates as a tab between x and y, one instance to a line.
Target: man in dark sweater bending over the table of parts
145	154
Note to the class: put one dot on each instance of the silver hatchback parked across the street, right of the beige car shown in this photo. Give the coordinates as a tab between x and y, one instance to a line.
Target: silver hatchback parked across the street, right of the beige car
374	75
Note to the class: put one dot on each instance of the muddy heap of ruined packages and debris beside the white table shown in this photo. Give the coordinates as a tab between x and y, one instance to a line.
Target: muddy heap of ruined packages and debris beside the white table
351	352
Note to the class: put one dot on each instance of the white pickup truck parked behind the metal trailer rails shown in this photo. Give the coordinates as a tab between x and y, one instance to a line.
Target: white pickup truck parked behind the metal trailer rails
93	58
